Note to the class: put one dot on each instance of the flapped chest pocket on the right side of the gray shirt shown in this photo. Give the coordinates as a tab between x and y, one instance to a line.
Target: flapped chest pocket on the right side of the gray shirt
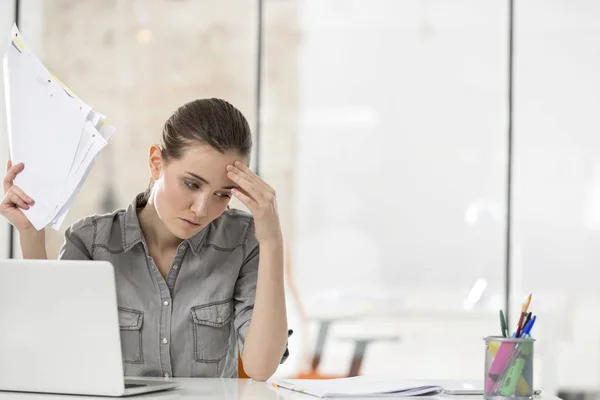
211	326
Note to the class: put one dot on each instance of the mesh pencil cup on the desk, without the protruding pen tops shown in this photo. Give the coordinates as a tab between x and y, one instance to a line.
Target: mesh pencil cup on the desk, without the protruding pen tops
508	368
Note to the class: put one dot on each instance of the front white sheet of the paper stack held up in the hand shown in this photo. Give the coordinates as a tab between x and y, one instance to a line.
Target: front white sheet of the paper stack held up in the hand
40	116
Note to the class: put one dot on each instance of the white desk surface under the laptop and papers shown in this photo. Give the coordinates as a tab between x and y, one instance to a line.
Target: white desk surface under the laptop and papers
214	388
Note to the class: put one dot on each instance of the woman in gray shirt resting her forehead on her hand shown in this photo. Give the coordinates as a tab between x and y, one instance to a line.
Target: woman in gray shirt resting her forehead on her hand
192	289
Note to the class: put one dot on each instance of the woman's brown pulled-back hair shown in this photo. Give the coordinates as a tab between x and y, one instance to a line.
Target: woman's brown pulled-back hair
209	121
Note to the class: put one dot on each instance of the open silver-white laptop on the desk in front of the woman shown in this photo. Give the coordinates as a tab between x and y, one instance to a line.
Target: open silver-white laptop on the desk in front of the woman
59	330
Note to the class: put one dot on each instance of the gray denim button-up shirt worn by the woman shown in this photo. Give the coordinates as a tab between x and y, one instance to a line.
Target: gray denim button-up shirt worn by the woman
193	322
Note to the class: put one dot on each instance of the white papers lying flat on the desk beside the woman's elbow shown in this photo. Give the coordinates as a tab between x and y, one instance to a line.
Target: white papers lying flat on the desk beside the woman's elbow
359	386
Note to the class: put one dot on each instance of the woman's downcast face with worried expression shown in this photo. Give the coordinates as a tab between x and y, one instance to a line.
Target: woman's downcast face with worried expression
189	193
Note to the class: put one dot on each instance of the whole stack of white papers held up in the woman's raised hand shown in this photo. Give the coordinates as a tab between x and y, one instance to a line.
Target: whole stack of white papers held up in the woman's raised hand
55	134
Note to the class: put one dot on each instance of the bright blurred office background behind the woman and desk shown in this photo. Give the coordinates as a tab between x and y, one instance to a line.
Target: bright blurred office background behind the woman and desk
384	127
